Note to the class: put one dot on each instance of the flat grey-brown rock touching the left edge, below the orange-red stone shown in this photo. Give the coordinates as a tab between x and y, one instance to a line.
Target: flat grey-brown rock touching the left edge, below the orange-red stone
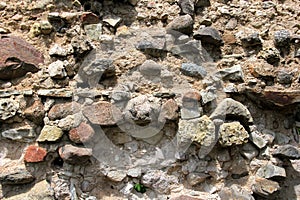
16	177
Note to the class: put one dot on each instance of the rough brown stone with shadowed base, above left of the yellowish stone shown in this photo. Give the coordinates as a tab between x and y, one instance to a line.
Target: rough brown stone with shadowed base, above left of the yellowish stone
35	112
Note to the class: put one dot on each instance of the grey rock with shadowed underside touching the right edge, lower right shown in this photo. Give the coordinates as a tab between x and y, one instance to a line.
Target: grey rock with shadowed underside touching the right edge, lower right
287	151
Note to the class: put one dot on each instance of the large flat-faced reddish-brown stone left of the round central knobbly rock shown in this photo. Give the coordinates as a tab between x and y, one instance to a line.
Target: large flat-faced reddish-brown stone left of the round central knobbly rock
100	113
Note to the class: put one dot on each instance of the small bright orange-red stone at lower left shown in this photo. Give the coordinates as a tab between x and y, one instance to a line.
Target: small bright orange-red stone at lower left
35	154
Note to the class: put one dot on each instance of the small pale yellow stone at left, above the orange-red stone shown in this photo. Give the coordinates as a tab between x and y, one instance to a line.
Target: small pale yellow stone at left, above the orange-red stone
50	134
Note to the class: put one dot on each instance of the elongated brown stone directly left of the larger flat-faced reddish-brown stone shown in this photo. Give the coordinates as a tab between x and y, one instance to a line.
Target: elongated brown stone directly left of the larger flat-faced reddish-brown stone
62	110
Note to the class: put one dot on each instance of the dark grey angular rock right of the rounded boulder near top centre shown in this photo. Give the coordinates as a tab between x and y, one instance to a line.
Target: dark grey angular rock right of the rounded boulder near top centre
209	35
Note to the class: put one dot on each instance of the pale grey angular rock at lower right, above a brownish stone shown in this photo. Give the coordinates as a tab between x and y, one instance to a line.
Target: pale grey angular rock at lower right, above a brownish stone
271	171
